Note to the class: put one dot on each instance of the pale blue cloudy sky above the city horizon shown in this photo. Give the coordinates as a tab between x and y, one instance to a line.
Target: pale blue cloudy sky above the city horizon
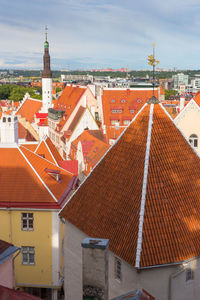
87	34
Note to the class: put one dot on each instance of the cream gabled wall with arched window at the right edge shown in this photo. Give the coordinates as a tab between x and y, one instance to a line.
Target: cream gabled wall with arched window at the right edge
188	121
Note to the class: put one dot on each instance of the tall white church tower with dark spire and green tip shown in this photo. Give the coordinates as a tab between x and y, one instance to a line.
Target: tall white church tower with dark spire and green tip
46	77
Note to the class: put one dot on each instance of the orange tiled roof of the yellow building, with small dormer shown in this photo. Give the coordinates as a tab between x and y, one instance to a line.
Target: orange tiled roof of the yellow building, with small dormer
24	181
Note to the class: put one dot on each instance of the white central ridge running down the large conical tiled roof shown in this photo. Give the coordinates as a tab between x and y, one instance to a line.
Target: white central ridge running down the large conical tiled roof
144	188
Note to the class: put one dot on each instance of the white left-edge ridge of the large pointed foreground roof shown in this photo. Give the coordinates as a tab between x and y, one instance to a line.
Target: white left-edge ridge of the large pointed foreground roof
104	156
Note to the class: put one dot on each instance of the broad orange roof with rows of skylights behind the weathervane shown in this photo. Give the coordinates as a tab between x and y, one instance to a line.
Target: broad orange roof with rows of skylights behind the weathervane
129	101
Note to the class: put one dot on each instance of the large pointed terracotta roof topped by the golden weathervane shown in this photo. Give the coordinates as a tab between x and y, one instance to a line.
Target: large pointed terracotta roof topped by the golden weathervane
144	194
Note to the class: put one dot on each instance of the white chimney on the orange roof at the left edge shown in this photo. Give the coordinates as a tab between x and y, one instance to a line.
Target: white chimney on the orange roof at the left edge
9	129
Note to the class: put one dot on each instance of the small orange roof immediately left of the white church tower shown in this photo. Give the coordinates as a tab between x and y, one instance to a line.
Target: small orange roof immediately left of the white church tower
29	108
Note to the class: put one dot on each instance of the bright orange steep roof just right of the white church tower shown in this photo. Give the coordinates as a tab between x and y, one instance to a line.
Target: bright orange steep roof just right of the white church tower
67	101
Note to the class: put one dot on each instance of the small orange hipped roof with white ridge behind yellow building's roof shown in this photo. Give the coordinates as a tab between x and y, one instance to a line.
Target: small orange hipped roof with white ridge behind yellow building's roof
47	148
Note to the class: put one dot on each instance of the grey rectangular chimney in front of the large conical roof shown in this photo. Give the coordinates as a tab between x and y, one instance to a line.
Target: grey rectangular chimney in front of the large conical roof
95	268
